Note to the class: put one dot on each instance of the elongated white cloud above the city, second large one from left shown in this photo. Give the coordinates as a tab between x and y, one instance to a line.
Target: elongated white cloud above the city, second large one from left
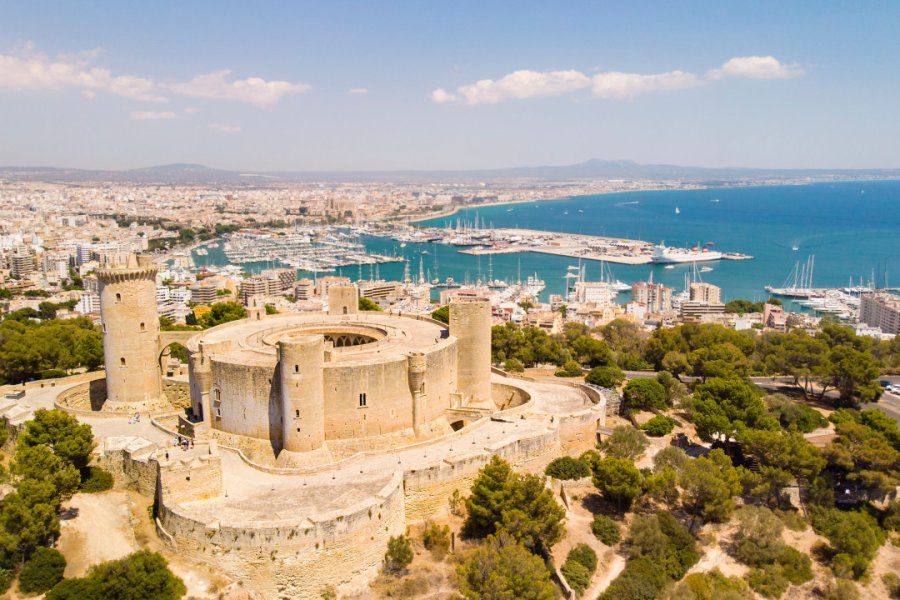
252	90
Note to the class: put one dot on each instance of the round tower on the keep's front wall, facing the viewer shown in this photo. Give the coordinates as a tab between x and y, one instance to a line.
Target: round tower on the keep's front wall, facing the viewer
301	364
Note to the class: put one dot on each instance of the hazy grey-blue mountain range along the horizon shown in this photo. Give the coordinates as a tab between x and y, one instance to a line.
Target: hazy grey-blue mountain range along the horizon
184	173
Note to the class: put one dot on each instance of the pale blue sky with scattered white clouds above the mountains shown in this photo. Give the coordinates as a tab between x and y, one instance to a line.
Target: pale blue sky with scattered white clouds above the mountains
435	85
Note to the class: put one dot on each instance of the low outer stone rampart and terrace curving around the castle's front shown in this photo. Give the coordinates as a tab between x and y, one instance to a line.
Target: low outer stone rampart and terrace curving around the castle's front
292	531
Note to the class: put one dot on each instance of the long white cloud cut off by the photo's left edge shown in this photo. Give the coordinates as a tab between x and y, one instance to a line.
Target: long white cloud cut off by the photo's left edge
25	69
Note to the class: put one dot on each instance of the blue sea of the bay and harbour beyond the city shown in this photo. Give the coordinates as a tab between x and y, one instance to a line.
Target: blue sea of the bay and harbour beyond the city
852	229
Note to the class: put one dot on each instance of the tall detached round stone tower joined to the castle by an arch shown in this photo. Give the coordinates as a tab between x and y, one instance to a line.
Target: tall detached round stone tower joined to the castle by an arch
130	333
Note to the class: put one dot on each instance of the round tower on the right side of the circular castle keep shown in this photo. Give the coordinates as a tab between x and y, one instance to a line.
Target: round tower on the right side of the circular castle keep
470	324
